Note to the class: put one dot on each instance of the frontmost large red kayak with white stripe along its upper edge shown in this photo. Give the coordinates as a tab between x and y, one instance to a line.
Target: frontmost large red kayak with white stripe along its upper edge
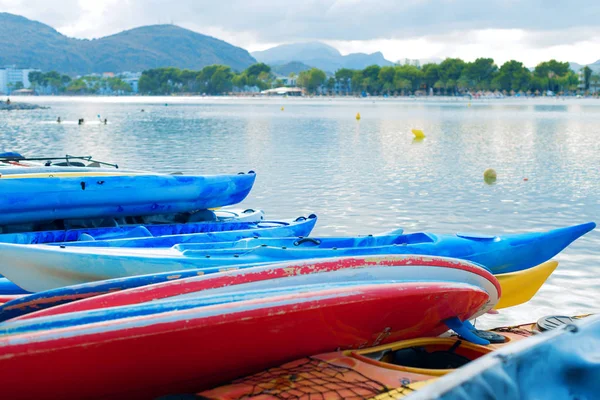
190	350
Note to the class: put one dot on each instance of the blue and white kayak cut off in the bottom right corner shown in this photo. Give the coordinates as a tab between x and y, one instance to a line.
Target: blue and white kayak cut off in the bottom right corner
559	364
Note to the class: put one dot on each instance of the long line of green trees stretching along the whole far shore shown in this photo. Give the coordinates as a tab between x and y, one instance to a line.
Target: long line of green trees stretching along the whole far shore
450	77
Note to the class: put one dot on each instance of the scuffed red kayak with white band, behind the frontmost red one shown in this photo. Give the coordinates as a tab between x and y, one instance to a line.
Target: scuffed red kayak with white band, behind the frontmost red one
396	267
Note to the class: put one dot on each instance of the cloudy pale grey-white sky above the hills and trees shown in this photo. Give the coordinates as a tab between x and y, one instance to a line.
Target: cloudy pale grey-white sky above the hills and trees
527	30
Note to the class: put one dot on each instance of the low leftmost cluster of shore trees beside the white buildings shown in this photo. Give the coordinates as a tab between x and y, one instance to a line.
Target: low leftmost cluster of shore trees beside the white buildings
54	83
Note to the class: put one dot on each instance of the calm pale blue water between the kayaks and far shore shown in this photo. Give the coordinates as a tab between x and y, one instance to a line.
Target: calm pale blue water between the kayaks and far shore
367	176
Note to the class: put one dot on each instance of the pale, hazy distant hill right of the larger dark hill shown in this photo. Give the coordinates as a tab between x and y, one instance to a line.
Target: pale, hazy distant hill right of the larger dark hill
319	55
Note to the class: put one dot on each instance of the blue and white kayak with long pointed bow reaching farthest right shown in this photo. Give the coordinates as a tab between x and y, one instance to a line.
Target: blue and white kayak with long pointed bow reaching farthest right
38	267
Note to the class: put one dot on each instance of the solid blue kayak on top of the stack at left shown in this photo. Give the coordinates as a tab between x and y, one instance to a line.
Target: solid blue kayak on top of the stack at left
27	199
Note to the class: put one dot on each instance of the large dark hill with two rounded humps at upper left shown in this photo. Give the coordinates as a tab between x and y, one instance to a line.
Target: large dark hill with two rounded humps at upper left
29	43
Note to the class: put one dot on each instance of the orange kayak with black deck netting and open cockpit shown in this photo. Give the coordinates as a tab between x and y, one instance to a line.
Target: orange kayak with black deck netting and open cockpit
402	367
